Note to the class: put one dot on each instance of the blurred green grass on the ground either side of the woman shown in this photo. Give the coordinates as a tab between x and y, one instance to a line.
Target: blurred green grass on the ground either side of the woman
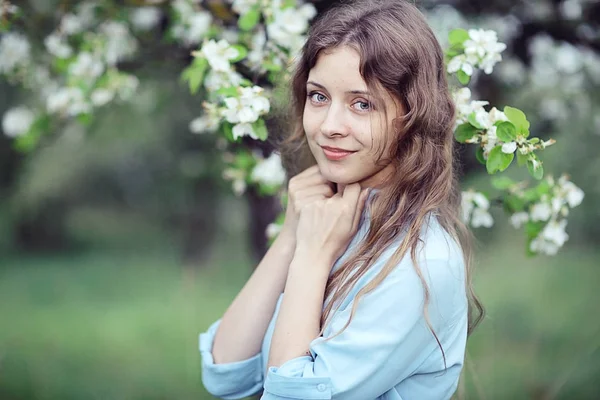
117	325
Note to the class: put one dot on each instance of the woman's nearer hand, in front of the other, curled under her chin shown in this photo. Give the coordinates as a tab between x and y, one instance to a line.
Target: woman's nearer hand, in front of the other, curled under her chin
326	226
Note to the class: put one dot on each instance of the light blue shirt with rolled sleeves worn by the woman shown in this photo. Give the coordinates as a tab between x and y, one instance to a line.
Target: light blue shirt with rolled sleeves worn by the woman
387	352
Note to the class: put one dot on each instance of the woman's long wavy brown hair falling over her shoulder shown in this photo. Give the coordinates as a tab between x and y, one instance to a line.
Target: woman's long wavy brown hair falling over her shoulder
399	54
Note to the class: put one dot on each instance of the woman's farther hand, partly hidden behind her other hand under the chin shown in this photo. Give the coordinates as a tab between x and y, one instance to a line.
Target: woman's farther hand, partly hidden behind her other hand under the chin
304	189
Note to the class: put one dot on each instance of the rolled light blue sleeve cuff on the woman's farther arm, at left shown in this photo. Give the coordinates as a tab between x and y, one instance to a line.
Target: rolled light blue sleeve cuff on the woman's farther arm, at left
234	380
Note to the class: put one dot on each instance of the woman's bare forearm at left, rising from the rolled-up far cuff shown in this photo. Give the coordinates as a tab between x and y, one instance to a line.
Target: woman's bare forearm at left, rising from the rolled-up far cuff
245	322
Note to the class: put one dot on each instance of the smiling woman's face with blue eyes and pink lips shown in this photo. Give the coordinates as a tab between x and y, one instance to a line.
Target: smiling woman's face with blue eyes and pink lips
347	129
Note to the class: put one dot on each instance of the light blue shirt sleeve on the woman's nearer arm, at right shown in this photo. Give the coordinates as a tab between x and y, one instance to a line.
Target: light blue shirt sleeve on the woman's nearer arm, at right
387	341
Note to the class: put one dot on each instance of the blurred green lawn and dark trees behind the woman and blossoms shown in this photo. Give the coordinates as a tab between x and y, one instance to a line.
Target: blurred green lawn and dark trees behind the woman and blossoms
120	241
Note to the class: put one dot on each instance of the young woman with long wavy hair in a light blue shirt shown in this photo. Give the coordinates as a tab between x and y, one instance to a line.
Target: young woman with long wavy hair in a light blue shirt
365	294
